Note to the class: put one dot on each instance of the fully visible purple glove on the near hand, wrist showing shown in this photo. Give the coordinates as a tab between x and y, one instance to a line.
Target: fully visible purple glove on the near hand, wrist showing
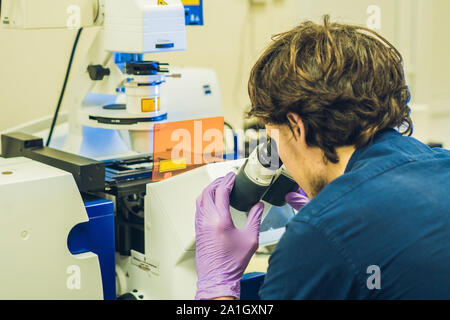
222	251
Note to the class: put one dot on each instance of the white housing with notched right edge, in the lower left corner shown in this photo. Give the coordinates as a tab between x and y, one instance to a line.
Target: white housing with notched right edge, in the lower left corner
39	205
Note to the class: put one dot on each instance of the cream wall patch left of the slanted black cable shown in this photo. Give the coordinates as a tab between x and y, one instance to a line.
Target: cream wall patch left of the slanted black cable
32	69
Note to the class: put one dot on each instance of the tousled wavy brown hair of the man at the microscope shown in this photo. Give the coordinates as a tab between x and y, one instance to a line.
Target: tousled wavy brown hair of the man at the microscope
346	83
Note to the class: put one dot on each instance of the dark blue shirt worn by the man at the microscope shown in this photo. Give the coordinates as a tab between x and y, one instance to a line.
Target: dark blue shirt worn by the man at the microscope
379	231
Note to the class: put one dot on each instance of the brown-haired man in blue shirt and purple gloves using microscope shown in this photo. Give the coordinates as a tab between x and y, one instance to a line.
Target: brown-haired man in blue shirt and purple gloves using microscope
378	223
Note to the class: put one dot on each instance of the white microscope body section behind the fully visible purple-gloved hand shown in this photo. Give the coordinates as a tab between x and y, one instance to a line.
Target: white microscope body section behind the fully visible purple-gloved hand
170	209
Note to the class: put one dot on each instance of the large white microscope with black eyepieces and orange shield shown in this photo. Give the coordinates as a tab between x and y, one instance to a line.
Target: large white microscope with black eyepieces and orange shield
100	220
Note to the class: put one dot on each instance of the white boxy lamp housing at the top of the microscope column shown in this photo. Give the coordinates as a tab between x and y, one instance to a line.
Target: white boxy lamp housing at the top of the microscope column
141	26
